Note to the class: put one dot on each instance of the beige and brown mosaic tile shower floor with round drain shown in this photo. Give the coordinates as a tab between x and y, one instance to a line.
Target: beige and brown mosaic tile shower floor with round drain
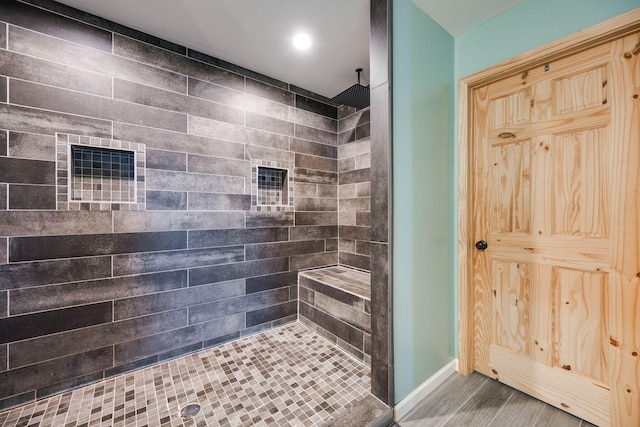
288	376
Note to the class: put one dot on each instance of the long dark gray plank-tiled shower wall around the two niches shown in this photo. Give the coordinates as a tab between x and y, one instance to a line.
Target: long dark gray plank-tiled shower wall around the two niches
89	294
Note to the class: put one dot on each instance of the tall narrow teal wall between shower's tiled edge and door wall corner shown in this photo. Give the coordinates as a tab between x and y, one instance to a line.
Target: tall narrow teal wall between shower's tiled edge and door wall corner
423	218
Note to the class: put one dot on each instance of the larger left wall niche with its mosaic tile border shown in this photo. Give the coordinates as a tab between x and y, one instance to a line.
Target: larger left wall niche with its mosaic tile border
99	174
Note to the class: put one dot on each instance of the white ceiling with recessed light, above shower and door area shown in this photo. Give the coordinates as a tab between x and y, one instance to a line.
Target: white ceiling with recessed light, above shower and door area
256	34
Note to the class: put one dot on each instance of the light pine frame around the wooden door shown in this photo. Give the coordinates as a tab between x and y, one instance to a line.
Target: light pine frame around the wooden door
603	32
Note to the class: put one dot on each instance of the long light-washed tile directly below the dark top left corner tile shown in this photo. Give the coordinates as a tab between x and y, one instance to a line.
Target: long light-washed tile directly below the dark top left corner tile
63	52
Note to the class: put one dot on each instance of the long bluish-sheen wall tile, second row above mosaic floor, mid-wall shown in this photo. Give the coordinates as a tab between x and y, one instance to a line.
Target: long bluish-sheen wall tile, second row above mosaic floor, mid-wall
164	342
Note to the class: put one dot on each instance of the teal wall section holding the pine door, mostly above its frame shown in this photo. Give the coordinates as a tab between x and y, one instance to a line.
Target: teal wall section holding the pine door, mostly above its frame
529	25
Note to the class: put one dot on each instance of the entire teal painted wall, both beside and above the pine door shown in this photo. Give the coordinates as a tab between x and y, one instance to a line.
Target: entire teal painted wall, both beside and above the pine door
427	63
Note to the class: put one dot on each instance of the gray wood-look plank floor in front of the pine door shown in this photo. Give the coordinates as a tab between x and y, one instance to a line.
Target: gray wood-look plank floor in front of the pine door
476	400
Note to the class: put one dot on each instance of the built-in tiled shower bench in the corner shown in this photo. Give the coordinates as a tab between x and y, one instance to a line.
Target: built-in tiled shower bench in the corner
336	302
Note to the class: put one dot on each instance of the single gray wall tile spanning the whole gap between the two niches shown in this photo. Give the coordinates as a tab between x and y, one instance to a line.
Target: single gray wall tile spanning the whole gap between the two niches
183	181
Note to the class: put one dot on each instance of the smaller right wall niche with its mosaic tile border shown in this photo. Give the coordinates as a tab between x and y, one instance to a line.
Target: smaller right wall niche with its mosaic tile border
271	186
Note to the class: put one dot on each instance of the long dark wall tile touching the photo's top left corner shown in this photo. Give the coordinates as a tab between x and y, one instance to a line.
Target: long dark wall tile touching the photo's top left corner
56	25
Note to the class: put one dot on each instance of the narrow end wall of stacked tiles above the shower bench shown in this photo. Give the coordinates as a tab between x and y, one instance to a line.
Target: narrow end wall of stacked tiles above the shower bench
354	187
